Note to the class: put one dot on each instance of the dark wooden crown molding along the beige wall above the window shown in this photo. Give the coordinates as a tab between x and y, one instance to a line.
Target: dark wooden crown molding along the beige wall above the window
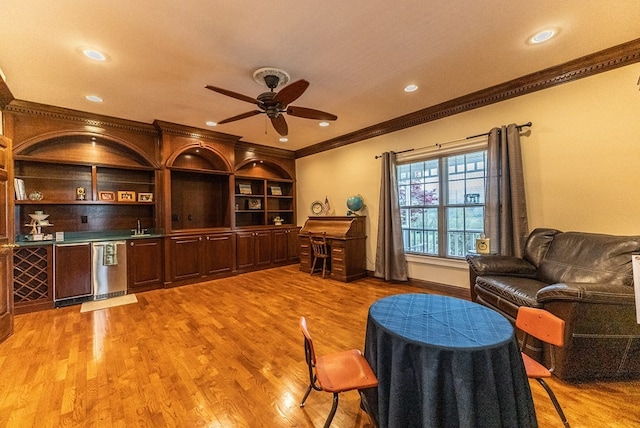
599	62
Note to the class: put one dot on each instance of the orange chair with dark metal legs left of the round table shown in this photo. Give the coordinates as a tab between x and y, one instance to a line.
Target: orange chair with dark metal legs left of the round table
335	373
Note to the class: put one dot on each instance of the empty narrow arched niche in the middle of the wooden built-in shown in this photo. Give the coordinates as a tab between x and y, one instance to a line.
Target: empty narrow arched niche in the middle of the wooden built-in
200	189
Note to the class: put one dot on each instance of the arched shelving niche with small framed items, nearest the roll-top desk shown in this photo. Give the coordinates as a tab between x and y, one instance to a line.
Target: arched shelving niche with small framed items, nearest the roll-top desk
264	194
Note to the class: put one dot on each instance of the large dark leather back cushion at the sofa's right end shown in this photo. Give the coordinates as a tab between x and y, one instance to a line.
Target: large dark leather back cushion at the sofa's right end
589	258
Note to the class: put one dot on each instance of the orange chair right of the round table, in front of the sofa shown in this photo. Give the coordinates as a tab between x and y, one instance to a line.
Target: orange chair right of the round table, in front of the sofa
549	328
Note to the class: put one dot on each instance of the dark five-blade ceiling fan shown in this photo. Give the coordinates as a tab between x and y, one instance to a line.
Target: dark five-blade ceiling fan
275	104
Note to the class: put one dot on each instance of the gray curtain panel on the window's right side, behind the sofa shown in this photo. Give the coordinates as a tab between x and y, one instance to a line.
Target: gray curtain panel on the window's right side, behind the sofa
505	220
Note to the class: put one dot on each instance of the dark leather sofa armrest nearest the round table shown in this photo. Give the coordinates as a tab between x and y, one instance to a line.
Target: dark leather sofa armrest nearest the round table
587	292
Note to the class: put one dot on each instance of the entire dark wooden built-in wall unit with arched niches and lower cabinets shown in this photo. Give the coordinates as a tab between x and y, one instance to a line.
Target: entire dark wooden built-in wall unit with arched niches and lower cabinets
216	206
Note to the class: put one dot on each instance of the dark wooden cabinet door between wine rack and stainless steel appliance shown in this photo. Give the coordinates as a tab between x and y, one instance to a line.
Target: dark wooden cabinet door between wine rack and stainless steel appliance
72	277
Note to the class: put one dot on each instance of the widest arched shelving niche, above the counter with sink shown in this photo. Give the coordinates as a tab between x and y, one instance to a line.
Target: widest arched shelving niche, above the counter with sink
85	181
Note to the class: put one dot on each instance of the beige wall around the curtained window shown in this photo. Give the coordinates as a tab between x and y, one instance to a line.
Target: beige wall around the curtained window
581	162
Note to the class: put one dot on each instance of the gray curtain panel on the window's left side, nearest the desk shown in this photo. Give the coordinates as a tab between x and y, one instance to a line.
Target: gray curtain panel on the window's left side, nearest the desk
391	264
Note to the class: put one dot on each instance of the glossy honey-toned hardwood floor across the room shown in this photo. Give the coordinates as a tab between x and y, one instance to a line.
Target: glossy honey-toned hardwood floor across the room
225	353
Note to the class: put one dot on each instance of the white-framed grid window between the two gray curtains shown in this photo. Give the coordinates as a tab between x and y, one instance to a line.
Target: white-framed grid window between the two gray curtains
442	204
